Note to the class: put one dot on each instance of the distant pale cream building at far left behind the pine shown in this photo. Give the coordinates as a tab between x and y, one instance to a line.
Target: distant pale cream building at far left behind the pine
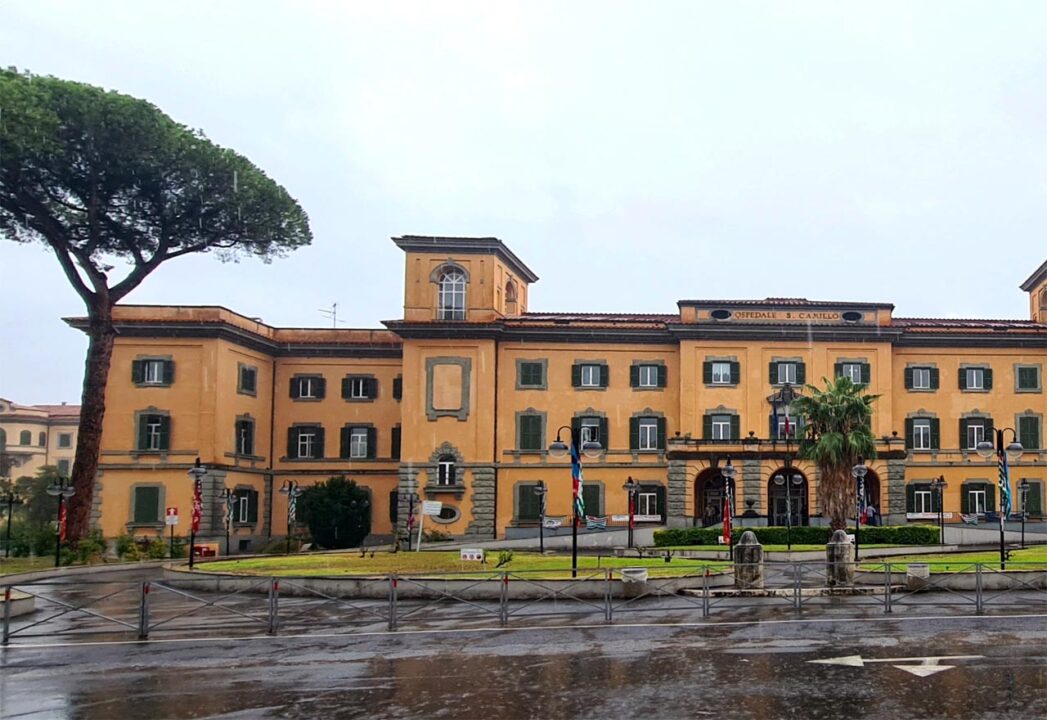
36	436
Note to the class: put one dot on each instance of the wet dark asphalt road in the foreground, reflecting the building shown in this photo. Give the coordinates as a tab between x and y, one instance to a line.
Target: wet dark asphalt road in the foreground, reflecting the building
754	670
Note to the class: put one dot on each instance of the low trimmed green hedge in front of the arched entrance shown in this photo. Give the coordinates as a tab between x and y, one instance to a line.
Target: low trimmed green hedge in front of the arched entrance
878	535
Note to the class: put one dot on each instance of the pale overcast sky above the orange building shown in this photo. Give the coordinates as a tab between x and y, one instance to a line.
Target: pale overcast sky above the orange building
632	153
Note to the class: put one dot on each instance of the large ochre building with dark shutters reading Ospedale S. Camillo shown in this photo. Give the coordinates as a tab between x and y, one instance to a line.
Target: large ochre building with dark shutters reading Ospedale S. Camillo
460	400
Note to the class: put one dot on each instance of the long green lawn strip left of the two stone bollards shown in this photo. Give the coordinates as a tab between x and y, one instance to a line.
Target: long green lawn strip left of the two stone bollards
420	564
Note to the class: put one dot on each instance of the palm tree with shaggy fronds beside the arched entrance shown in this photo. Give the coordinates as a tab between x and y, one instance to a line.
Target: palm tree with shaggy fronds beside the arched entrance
837	436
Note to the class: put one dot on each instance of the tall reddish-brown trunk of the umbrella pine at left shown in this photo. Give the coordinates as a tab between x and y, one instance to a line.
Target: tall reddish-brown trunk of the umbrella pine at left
93	412
